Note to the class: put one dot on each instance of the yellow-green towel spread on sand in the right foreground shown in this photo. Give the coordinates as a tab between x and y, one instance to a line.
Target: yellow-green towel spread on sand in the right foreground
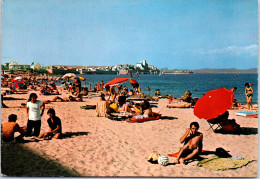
216	163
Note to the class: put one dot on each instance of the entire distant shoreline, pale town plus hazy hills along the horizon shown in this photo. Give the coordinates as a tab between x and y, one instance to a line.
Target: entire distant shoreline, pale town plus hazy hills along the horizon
142	67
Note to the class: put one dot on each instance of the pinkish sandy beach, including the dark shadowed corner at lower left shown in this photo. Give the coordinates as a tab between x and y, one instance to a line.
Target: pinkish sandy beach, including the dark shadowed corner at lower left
98	146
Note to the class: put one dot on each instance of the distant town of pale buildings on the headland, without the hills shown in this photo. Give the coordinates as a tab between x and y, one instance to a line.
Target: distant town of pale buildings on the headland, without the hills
142	68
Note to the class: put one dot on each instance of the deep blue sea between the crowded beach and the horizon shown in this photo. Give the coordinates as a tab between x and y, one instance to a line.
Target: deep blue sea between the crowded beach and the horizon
178	84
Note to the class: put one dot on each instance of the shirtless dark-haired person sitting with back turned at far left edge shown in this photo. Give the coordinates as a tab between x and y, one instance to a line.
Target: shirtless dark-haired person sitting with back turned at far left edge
9	128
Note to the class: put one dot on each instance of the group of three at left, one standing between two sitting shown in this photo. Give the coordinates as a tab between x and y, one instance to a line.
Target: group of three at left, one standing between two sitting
34	110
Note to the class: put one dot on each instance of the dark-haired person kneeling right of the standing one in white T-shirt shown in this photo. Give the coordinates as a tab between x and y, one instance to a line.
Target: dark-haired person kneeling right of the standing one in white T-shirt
55	128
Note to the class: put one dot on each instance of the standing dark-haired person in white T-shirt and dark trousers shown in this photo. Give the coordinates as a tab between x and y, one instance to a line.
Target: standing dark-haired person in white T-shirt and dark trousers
34	110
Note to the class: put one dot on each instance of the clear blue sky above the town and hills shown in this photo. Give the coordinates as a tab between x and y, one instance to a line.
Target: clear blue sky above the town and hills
182	34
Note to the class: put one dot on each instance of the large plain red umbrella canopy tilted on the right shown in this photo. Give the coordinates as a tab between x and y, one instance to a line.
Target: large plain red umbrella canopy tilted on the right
214	103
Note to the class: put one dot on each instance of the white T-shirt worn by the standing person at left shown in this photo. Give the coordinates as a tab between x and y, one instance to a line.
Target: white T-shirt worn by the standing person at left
34	110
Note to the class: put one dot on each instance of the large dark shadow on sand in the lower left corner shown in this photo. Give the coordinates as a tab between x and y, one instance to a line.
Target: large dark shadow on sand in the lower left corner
16	160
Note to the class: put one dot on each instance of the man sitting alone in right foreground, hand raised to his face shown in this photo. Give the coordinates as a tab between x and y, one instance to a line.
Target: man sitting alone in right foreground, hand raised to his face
192	140
